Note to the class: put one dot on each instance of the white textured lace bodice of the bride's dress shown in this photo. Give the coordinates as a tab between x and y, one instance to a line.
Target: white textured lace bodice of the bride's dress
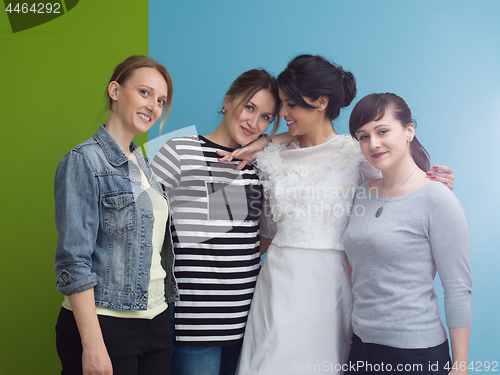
311	190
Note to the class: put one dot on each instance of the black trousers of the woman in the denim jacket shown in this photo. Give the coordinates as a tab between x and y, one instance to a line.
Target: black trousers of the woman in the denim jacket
135	346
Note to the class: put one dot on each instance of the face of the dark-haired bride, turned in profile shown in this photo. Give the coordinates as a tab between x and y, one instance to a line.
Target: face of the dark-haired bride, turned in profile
300	120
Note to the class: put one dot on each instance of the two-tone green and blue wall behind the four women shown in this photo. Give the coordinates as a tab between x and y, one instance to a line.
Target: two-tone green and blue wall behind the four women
442	56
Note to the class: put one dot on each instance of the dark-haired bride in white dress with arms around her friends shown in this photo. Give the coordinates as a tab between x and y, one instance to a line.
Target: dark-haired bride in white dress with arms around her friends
299	320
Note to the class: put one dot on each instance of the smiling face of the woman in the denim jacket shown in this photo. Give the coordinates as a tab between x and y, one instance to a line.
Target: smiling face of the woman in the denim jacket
139	101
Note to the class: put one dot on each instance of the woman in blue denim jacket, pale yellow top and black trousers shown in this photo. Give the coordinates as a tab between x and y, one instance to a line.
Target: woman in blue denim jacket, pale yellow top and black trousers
114	256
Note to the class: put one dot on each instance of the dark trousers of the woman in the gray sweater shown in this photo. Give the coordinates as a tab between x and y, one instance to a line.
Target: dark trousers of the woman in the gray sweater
380	359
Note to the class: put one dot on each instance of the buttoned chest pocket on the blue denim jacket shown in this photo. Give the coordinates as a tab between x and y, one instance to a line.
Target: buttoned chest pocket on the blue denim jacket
119	212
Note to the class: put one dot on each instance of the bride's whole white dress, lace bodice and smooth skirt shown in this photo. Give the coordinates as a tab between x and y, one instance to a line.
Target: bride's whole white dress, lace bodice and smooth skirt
299	320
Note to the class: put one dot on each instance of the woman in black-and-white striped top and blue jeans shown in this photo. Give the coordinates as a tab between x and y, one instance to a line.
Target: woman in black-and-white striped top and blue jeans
215	215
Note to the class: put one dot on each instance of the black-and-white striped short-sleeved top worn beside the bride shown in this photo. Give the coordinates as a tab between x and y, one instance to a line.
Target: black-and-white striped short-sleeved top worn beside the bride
215	227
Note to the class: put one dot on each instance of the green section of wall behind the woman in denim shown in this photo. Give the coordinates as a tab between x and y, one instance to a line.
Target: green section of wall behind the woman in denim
52	83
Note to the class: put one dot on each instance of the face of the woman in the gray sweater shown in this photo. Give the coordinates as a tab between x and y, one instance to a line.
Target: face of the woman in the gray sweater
385	142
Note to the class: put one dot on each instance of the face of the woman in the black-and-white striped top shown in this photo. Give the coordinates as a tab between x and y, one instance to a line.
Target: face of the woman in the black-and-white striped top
253	119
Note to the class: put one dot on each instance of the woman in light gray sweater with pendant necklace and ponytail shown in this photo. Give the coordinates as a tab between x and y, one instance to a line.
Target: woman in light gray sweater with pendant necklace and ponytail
403	229
